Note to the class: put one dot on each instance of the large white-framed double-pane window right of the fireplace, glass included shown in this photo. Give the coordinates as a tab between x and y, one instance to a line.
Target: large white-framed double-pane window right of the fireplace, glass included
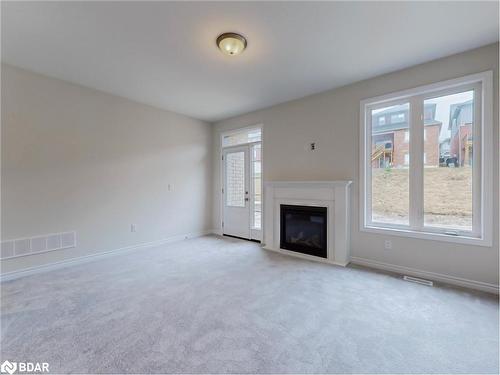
438	182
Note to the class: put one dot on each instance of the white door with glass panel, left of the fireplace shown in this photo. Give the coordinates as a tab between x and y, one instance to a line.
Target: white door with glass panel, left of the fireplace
236	191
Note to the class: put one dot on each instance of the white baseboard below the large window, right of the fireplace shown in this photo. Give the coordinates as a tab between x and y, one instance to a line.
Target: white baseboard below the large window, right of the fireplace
446	279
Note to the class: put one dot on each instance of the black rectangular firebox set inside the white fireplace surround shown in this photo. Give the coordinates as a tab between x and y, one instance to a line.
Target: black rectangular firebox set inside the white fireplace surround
304	229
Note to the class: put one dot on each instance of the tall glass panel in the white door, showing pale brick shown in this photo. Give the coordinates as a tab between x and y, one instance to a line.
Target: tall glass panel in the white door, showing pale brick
235	179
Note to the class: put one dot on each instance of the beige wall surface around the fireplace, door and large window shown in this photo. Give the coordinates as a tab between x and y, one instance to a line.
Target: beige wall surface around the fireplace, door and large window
331	119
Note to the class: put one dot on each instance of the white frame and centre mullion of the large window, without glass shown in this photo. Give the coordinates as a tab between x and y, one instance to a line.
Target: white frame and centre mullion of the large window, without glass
481	234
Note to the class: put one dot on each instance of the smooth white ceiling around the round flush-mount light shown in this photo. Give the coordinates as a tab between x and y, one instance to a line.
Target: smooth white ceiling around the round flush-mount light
164	54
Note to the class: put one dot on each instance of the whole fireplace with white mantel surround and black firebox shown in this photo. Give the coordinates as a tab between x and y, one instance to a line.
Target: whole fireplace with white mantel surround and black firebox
328	199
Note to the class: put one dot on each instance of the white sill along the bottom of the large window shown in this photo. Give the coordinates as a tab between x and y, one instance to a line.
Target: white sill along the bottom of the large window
428	236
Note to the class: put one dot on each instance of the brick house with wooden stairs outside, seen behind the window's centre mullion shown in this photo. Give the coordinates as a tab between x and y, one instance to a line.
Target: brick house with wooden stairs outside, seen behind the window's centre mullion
391	136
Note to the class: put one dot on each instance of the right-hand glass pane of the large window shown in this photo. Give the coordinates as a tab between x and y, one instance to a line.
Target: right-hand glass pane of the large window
449	125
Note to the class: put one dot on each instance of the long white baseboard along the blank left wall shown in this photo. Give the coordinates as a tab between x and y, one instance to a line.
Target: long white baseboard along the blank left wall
89	258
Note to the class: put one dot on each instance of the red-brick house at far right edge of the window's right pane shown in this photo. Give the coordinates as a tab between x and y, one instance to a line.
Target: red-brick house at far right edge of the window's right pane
460	127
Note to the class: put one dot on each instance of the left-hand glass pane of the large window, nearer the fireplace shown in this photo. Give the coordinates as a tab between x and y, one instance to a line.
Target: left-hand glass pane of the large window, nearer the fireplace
390	139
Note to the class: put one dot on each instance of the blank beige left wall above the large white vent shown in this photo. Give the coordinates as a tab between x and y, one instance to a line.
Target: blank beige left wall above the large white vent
78	159
